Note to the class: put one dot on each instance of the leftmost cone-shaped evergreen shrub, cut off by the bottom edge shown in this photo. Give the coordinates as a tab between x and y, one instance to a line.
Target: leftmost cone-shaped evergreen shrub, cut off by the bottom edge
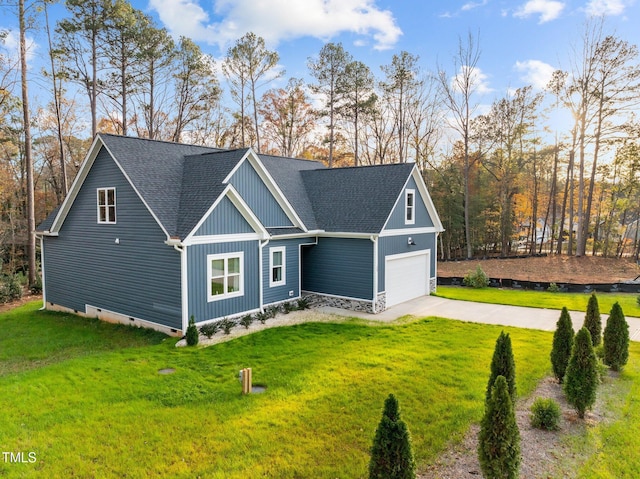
391	453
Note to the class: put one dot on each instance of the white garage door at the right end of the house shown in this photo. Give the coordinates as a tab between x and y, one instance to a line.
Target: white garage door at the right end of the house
406	276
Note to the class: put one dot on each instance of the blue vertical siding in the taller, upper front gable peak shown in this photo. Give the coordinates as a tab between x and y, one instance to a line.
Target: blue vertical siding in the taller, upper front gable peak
256	194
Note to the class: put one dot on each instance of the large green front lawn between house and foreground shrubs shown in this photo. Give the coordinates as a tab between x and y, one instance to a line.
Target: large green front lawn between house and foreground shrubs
101	410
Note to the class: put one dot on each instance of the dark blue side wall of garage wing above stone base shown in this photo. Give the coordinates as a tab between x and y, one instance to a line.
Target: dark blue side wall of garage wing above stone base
340	267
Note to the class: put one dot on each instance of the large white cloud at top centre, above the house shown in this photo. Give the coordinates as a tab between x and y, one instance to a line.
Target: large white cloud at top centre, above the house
278	20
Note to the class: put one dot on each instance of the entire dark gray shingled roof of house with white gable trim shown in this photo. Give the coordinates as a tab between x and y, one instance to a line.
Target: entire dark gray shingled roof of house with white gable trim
179	184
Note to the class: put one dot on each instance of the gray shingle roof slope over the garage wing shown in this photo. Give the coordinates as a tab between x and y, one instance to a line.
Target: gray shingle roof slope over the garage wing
355	199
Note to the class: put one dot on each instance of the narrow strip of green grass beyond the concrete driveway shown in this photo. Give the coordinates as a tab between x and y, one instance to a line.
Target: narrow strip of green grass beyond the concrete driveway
542	299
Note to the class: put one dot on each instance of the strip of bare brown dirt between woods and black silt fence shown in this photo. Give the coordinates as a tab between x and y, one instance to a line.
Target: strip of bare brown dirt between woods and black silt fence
558	269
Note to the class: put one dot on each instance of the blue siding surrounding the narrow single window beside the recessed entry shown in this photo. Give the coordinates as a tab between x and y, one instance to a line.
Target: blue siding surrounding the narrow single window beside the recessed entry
292	267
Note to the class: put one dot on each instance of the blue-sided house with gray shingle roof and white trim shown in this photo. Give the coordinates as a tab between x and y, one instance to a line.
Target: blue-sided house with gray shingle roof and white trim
152	233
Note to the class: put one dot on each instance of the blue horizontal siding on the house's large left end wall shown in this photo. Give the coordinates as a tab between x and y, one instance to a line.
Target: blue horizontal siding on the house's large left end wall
123	267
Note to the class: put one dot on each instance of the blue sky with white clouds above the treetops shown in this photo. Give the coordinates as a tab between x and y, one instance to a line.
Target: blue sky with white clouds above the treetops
521	41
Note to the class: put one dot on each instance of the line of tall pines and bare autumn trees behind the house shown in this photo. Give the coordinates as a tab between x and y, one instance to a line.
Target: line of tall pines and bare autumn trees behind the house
505	180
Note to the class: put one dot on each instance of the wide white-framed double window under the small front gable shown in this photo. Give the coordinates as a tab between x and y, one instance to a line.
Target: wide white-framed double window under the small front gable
225	275
